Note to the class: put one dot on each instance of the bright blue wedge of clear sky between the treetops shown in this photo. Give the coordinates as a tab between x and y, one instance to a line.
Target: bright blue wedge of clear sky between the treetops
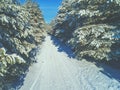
49	8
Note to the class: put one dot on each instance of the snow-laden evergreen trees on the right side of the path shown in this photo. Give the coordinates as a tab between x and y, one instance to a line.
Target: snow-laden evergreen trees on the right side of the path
93	26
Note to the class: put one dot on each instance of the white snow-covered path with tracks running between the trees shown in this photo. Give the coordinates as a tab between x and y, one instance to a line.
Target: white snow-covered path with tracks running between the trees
56	71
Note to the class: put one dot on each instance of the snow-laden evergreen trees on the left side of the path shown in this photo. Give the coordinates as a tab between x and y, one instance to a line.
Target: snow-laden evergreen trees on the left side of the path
18	39
